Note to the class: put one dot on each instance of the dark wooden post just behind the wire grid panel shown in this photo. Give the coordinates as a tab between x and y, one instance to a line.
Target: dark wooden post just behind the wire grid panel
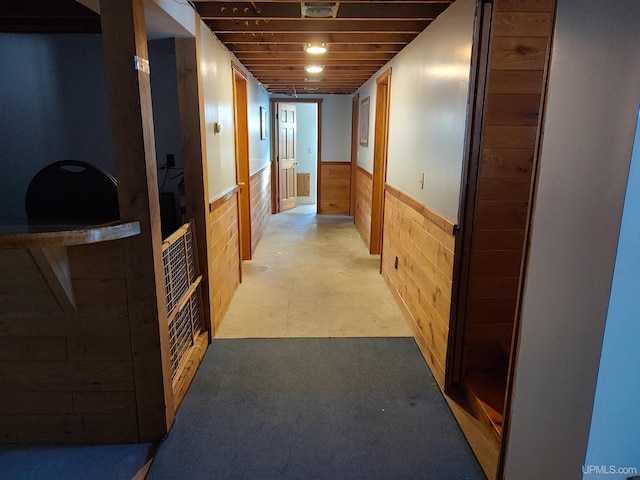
190	95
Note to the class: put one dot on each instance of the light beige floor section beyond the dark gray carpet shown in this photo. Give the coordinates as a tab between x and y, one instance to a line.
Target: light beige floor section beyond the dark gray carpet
312	276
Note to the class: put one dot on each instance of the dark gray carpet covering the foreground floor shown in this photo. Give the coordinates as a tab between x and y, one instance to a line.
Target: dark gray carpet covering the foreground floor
314	408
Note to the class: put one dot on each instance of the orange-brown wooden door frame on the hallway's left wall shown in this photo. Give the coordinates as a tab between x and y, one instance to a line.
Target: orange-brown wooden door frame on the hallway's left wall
241	137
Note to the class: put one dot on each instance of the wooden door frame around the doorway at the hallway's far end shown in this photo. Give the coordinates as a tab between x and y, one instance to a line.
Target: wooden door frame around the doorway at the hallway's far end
275	164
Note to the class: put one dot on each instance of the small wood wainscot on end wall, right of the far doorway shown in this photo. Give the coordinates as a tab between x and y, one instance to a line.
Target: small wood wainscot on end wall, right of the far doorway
335	188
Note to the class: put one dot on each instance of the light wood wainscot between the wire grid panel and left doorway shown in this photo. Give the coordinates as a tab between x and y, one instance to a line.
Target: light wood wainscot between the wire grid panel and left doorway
224	254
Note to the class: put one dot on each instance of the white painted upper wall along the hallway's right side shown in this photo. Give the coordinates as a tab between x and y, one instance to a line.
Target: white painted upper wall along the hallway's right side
428	111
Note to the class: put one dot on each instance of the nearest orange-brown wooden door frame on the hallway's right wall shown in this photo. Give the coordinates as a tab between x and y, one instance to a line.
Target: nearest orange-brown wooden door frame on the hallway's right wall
380	150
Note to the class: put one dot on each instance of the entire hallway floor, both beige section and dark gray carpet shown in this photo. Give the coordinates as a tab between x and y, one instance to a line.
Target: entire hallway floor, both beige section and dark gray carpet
313	373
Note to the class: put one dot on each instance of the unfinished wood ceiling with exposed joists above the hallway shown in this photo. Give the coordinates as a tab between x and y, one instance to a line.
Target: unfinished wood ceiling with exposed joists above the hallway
268	38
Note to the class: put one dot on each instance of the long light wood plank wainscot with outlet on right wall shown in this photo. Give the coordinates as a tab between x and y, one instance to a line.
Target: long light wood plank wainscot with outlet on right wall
421	278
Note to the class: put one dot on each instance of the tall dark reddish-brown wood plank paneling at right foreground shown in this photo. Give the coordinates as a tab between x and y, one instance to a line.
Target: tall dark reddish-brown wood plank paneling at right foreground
507	118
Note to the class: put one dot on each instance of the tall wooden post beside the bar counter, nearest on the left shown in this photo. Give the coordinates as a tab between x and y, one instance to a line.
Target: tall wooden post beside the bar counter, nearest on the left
124	37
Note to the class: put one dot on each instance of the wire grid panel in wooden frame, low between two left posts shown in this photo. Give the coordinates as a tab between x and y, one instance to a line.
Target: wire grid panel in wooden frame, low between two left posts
182	294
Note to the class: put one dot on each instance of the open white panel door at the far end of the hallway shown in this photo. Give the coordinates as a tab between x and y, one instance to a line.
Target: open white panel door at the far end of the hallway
287	156
